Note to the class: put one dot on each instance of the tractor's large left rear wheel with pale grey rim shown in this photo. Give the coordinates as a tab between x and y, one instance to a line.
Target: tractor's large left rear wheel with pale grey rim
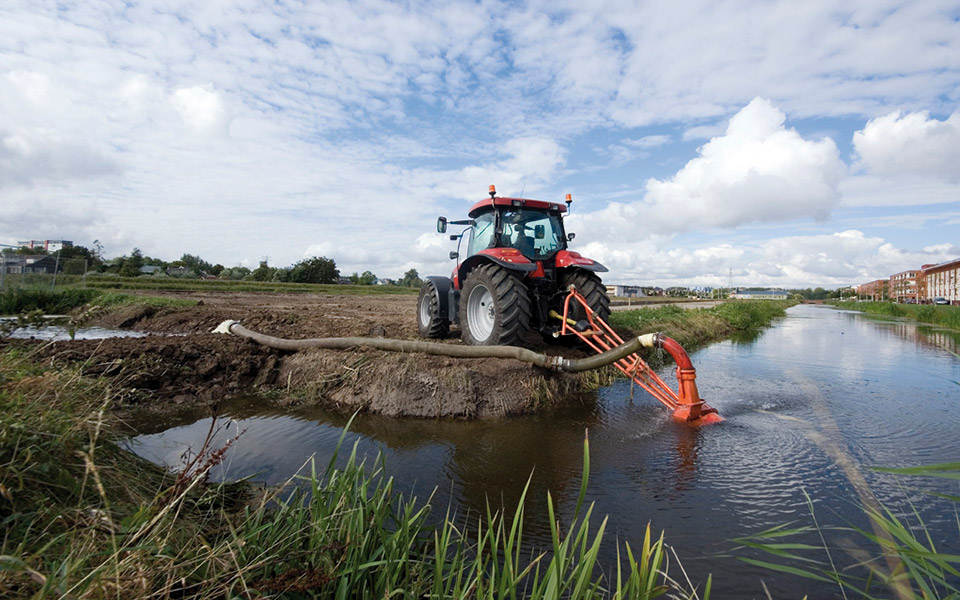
494	308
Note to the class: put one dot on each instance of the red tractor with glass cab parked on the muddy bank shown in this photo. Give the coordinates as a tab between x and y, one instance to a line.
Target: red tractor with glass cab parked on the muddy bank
516	270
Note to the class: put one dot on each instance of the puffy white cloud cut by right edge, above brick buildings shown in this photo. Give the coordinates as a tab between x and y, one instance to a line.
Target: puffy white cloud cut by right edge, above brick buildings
911	145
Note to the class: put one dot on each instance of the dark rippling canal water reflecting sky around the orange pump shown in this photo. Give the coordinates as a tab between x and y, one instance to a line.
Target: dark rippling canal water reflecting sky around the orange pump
822	387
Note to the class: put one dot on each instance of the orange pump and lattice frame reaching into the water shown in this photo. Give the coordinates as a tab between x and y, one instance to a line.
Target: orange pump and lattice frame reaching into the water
685	405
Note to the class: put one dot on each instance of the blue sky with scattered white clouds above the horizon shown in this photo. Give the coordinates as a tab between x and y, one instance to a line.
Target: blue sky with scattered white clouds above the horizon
705	143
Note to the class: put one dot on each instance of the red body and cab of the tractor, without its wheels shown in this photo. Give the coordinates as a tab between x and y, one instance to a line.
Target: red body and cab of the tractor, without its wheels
542	274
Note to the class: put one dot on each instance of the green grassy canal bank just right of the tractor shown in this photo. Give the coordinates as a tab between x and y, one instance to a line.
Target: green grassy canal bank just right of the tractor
696	327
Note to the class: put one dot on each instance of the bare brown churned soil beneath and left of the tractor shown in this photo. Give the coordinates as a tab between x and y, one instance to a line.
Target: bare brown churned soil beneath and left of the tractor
194	366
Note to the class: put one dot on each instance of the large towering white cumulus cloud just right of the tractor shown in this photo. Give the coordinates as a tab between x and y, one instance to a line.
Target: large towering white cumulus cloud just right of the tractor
757	172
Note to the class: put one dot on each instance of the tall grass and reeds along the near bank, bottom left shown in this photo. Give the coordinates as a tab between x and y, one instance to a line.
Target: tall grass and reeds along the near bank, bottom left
84	519
